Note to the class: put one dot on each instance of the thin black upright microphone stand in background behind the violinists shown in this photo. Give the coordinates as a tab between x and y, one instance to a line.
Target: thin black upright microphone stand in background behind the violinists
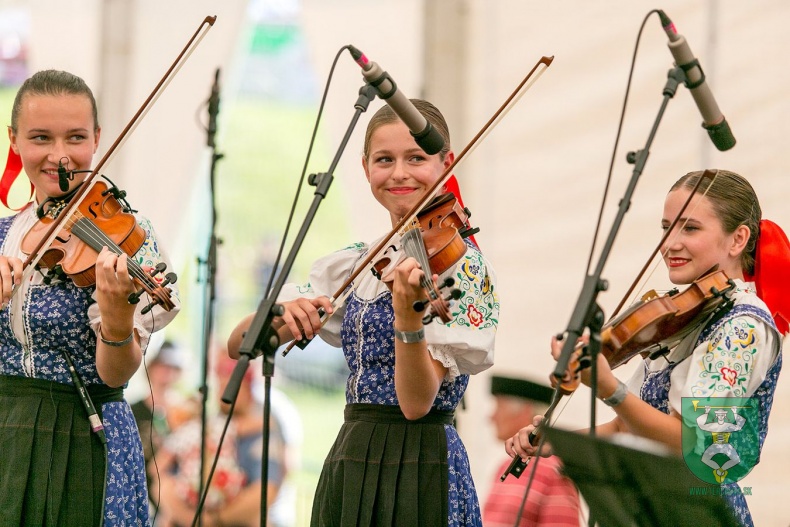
210	264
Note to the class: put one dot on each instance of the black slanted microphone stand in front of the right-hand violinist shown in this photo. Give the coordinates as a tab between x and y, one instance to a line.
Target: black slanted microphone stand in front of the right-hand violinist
587	313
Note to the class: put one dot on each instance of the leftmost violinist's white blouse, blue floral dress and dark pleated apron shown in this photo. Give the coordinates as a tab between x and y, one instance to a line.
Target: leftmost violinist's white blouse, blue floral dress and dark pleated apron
58	465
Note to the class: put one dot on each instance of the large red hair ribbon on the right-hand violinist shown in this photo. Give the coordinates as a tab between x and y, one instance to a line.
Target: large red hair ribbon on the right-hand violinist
772	272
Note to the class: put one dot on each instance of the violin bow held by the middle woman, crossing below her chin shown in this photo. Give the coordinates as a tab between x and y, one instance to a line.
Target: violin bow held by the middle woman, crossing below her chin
526	83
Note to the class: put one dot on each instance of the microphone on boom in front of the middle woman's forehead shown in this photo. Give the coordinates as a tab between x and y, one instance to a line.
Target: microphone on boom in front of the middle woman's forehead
423	132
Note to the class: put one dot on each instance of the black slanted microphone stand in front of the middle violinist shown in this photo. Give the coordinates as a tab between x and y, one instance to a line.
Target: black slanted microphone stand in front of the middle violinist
261	338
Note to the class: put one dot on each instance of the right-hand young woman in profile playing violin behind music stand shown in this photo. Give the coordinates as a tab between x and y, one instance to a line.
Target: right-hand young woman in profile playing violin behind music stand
733	353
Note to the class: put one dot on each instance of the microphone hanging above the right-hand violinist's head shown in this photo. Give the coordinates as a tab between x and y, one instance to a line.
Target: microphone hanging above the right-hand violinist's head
712	119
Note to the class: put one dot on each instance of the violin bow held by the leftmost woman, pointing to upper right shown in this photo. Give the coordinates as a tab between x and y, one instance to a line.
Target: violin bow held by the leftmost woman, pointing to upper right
37	253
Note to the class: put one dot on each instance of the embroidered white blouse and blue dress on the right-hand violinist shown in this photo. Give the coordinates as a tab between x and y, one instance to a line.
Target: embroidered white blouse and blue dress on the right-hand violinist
735	355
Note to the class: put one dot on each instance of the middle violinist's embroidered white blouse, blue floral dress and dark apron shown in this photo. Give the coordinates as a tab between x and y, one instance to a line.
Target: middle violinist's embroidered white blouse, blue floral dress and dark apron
377	473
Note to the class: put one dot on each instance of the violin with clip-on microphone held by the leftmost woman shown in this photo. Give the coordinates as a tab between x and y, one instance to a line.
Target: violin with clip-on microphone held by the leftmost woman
99	220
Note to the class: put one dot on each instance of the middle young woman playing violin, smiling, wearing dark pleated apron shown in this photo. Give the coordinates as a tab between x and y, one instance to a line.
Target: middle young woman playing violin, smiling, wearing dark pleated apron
398	455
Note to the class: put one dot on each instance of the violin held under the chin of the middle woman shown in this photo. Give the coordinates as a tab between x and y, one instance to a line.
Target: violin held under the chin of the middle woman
436	240
